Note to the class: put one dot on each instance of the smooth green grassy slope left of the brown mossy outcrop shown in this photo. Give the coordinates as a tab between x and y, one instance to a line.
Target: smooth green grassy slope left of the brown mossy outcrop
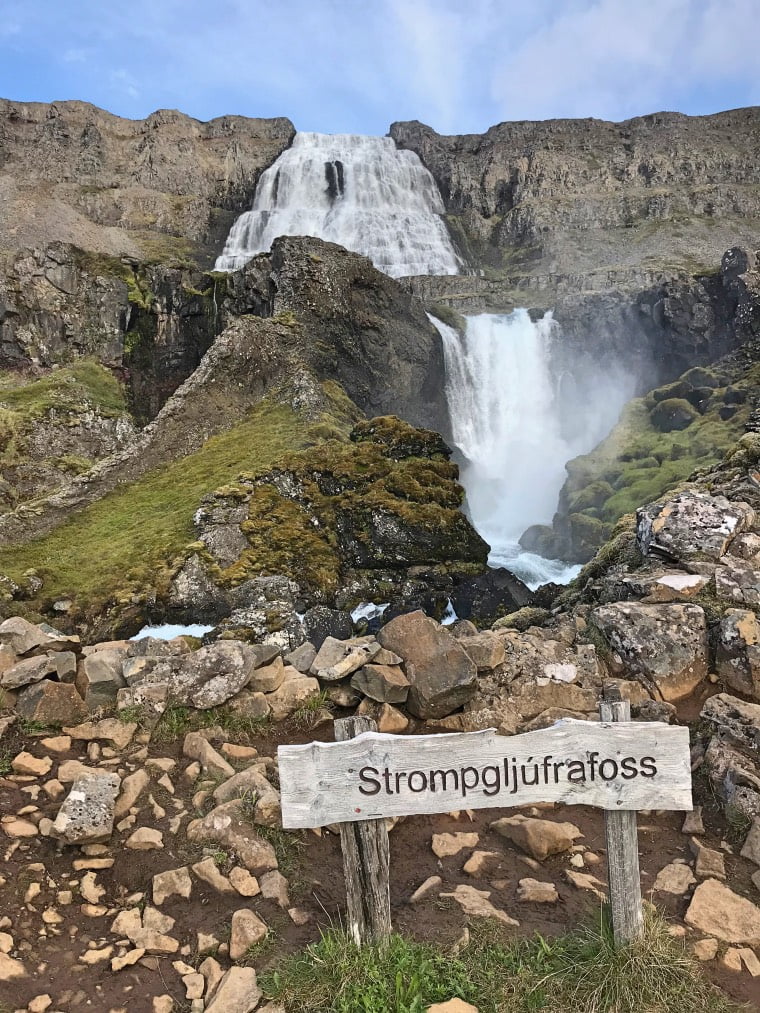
126	542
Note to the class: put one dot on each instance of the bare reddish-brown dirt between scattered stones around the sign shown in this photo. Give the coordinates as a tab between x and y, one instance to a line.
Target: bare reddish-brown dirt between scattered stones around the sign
314	868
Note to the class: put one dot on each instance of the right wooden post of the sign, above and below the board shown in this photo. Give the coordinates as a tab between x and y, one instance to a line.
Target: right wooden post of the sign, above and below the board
623	846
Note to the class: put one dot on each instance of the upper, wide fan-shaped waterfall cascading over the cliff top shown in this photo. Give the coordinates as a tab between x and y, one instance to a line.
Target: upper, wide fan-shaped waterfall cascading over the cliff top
360	192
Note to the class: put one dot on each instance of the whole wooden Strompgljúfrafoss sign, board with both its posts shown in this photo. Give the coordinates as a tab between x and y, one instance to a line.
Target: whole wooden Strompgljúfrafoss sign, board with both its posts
366	776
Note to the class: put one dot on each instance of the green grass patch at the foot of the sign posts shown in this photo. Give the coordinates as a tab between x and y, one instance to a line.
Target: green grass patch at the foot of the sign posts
581	972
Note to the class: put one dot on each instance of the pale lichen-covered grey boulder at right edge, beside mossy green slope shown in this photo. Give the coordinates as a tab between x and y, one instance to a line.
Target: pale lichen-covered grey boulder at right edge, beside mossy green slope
692	526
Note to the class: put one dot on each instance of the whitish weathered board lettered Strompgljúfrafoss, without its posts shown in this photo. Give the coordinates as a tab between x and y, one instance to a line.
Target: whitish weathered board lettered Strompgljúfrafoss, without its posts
622	766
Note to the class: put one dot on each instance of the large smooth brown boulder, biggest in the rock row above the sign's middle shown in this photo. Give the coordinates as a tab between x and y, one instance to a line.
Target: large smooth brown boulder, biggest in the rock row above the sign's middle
444	675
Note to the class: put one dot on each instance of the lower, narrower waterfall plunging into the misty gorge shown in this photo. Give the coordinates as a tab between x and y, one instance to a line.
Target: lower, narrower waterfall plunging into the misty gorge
507	423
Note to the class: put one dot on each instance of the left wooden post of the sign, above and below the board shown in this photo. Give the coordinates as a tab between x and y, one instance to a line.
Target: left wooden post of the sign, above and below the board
366	862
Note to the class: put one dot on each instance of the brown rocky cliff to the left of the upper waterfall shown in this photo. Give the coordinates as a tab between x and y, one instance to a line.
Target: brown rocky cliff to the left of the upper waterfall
161	189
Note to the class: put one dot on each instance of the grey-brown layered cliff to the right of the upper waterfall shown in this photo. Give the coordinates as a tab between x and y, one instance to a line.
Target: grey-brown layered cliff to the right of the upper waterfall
585	197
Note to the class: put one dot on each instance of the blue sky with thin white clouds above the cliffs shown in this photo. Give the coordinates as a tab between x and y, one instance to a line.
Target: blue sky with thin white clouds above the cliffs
354	66
